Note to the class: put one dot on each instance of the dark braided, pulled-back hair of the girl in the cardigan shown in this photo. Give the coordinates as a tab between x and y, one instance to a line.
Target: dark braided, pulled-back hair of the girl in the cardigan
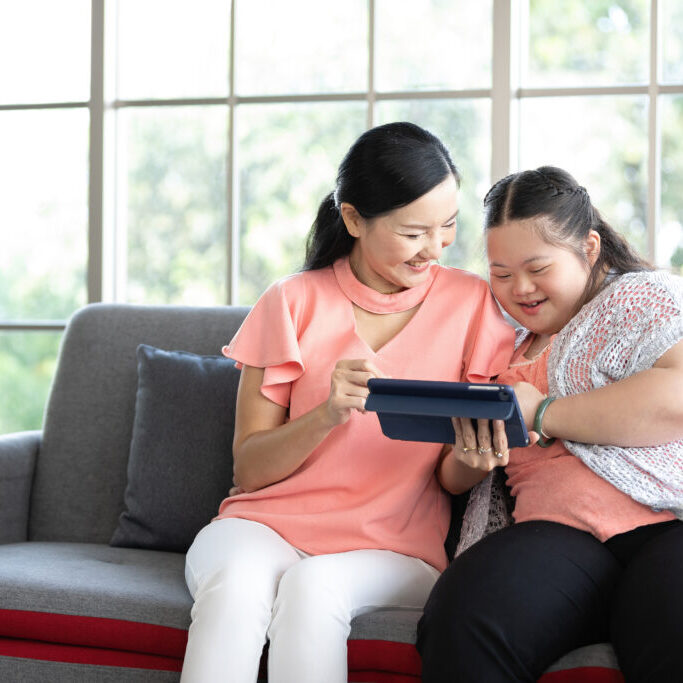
551	193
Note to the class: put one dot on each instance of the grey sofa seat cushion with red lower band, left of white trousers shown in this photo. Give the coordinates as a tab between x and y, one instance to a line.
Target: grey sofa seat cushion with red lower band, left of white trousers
94	595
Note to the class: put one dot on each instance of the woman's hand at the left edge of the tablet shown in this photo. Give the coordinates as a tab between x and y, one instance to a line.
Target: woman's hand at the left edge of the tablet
349	389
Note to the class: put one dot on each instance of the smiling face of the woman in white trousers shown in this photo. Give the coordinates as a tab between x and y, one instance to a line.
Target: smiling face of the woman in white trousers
394	251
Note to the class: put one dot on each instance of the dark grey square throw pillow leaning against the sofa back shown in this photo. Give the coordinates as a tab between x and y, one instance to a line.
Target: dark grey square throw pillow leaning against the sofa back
180	464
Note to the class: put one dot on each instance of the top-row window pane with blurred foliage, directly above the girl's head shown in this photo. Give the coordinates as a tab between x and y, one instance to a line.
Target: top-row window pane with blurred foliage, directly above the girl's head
601	42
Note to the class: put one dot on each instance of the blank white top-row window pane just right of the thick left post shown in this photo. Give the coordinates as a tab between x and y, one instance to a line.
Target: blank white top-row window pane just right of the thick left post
173	48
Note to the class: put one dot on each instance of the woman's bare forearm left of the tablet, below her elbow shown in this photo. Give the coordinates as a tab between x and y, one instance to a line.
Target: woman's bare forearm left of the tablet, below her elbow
268	456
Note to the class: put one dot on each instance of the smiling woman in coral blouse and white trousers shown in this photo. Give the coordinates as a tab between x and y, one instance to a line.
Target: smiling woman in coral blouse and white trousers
332	519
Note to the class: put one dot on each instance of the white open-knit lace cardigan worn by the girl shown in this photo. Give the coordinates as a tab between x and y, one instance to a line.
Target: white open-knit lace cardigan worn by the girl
631	323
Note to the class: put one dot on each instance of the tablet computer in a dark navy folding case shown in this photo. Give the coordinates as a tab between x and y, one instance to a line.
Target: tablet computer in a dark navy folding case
420	410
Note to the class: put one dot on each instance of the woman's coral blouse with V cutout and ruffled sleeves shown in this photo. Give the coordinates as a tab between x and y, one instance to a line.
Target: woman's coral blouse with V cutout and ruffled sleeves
359	489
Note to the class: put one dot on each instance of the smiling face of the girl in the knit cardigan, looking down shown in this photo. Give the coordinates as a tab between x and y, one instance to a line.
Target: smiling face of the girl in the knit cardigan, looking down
539	284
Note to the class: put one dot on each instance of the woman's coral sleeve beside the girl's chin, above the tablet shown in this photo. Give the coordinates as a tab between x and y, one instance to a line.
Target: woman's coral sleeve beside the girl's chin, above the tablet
491	341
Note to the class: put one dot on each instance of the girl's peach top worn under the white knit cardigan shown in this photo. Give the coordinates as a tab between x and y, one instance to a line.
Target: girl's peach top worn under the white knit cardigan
553	484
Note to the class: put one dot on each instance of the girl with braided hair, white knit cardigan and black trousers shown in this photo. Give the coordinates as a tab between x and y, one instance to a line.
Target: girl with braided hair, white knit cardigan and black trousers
596	550
